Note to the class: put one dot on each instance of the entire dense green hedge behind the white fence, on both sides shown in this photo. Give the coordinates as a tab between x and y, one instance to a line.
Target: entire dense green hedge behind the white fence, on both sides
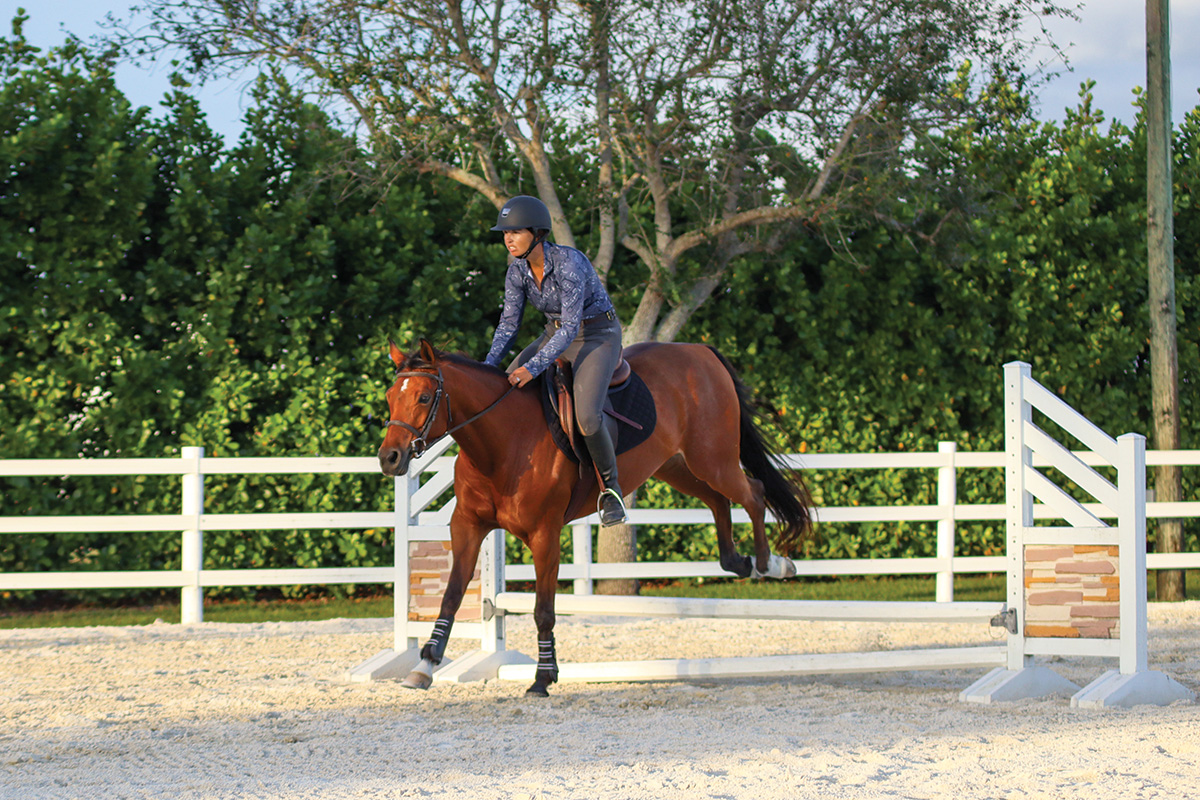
164	288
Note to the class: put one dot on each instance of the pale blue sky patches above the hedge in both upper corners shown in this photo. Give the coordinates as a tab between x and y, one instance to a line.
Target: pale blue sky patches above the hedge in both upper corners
1108	45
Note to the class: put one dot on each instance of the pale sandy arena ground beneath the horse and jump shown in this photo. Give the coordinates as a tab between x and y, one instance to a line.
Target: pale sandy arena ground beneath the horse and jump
265	711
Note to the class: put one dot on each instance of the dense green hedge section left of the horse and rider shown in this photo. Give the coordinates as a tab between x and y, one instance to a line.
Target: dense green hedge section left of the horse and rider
164	291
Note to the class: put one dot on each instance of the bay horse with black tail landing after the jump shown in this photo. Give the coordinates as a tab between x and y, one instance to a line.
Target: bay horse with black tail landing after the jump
511	474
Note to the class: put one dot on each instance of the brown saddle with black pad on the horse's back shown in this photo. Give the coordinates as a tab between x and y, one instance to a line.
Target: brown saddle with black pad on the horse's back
629	416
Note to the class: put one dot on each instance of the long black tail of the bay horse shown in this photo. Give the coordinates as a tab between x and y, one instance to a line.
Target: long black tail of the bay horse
787	495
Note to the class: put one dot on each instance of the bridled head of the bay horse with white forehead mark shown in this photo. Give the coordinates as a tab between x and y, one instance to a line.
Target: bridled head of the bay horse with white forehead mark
415	407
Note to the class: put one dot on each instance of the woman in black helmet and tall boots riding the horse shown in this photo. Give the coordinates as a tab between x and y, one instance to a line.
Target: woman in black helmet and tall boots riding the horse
581	328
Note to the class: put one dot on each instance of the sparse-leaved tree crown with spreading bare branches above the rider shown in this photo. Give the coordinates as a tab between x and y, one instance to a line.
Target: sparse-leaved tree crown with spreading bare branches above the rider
711	123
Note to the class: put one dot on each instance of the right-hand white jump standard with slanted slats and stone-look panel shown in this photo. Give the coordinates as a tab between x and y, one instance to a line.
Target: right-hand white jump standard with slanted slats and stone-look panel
1133	683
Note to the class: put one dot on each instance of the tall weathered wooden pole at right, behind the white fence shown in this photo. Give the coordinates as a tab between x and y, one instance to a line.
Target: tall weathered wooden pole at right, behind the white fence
1161	234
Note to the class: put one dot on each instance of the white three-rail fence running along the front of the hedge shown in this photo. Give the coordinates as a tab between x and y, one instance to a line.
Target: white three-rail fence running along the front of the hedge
434	526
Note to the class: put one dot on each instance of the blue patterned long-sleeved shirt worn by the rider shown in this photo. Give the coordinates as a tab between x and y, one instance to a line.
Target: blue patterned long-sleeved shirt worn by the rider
571	293
